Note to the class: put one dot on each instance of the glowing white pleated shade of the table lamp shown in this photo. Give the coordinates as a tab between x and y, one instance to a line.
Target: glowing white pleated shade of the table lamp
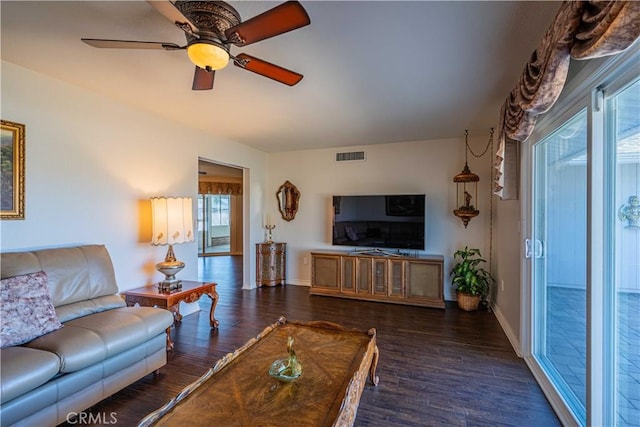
172	220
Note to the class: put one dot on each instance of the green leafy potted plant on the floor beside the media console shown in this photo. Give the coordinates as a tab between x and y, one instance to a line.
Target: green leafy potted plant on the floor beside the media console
470	280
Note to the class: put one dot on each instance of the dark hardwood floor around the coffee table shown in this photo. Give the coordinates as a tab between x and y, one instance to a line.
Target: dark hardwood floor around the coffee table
437	367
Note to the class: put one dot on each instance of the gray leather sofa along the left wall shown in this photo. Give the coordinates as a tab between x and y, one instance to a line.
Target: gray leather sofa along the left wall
102	347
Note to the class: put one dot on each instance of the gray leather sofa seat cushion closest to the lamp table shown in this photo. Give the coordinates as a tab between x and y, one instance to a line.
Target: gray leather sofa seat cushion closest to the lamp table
91	339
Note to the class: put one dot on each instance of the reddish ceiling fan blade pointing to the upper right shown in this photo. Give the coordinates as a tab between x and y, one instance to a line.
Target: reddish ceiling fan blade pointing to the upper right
285	17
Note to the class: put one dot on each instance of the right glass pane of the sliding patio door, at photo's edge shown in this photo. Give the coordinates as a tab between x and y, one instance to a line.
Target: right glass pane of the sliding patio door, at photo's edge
623	130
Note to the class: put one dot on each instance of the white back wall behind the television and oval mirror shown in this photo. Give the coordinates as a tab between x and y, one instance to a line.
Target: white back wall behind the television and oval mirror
399	168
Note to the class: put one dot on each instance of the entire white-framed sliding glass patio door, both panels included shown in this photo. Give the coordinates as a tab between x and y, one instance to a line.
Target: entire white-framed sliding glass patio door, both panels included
582	216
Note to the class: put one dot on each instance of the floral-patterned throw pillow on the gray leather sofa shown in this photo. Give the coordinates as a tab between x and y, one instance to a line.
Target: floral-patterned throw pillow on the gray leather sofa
26	311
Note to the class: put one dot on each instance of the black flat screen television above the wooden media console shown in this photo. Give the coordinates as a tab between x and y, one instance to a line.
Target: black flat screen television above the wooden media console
379	221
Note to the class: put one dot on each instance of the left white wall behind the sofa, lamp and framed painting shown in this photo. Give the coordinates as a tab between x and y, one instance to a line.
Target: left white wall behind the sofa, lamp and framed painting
92	163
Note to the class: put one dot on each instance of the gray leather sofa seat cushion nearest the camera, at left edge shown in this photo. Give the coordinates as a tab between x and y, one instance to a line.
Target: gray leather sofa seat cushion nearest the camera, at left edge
24	369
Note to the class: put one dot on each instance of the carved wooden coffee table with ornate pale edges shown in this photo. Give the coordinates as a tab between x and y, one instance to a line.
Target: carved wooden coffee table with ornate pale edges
238	390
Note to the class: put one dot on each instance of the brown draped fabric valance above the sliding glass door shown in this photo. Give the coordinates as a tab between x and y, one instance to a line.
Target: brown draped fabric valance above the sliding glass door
580	30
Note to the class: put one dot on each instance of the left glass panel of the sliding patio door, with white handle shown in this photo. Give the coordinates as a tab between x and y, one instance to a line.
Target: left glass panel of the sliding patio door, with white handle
558	252
